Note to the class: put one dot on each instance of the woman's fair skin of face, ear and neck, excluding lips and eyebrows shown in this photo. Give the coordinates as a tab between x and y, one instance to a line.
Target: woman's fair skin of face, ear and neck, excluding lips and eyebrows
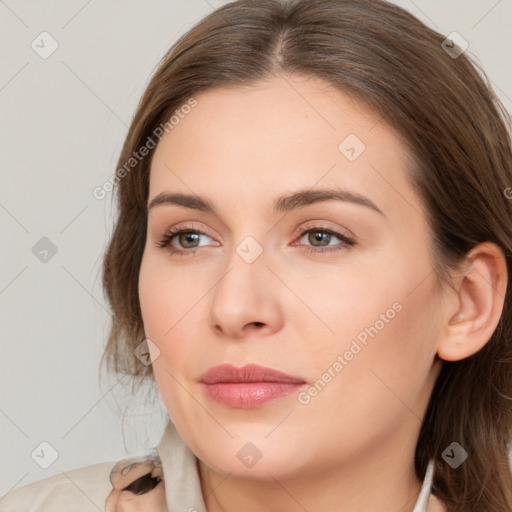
241	149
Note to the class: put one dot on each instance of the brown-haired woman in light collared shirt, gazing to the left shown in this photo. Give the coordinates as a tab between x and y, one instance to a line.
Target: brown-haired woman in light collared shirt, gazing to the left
311	260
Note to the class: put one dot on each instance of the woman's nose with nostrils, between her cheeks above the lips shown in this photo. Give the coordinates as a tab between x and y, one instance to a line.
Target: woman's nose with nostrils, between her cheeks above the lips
246	301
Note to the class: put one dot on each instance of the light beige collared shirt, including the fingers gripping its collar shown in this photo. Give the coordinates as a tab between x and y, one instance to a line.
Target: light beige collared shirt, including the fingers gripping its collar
165	479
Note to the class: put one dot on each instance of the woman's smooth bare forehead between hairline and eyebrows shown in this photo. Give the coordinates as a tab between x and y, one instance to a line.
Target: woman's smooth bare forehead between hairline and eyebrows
285	133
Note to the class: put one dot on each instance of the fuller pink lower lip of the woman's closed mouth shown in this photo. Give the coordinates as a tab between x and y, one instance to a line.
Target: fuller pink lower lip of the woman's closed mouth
248	395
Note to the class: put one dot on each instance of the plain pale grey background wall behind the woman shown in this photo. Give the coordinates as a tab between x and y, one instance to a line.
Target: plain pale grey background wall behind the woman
63	122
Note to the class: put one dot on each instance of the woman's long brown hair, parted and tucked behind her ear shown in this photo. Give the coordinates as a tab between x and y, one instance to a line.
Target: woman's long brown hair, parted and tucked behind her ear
458	132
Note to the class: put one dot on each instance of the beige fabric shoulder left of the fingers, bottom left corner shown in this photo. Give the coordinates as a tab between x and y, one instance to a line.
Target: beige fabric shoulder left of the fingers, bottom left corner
81	489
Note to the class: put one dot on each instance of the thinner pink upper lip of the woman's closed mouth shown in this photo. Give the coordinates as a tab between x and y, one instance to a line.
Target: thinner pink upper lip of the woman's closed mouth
248	373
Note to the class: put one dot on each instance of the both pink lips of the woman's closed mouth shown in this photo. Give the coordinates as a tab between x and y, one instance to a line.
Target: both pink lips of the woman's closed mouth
248	387
